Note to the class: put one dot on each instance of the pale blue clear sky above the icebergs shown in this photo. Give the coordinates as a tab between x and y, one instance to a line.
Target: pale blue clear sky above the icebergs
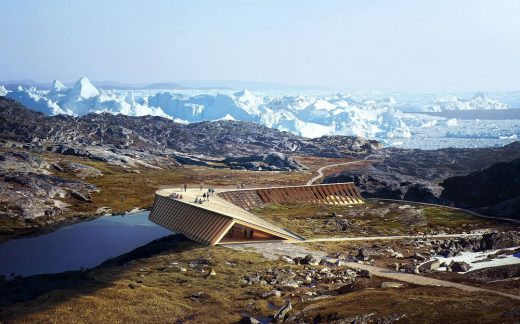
392	45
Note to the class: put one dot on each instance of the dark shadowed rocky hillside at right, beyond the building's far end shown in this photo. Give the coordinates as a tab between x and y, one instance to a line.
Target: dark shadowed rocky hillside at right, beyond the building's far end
415	175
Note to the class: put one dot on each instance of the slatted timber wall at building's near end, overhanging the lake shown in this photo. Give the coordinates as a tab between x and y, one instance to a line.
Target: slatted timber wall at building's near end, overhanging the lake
197	224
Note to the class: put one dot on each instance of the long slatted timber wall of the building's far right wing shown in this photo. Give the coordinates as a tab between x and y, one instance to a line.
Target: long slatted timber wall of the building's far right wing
335	193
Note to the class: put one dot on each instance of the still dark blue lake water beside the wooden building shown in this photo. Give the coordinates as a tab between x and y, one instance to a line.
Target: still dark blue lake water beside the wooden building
85	244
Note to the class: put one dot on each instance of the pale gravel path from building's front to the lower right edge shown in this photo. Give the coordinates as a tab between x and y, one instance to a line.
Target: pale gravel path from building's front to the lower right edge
273	250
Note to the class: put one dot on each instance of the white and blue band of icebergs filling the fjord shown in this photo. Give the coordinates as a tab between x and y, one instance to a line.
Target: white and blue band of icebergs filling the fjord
407	120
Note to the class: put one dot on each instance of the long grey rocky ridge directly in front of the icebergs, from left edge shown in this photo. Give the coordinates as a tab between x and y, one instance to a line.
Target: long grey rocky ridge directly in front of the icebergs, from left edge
156	134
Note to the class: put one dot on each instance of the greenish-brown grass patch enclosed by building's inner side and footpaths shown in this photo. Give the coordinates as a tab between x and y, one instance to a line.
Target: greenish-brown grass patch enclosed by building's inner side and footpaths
372	219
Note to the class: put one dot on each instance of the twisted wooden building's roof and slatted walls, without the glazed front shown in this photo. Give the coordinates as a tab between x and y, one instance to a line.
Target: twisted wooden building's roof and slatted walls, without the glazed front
208	222
